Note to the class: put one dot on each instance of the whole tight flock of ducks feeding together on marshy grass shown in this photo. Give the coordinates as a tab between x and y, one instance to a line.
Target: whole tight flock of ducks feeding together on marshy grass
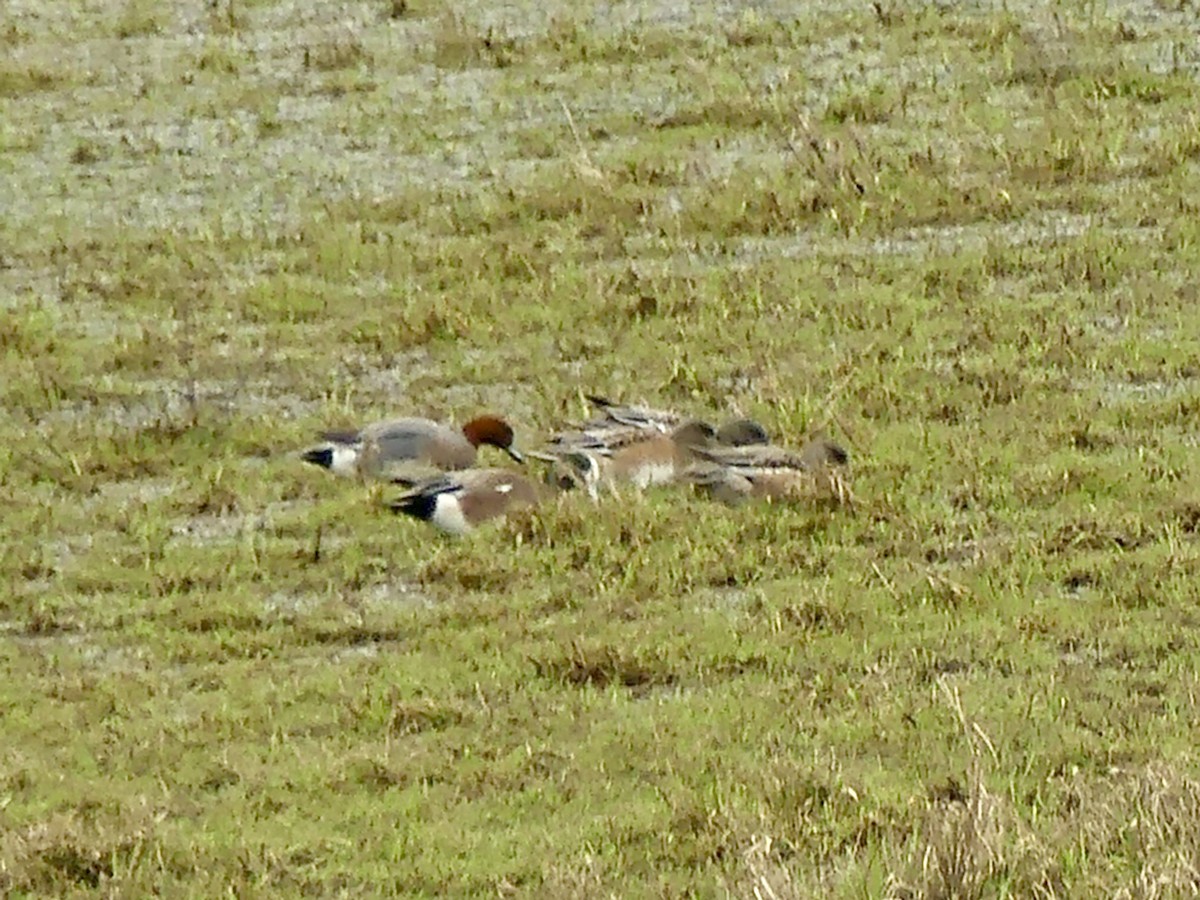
629	446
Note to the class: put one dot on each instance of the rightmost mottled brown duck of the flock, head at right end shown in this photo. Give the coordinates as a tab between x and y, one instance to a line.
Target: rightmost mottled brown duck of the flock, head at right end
734	476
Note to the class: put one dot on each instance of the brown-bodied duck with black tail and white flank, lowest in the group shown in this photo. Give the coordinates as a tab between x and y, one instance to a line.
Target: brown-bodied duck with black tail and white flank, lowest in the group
459	502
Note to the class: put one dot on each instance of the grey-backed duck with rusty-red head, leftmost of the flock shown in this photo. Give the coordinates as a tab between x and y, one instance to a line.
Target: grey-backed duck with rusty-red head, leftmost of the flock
412	448
